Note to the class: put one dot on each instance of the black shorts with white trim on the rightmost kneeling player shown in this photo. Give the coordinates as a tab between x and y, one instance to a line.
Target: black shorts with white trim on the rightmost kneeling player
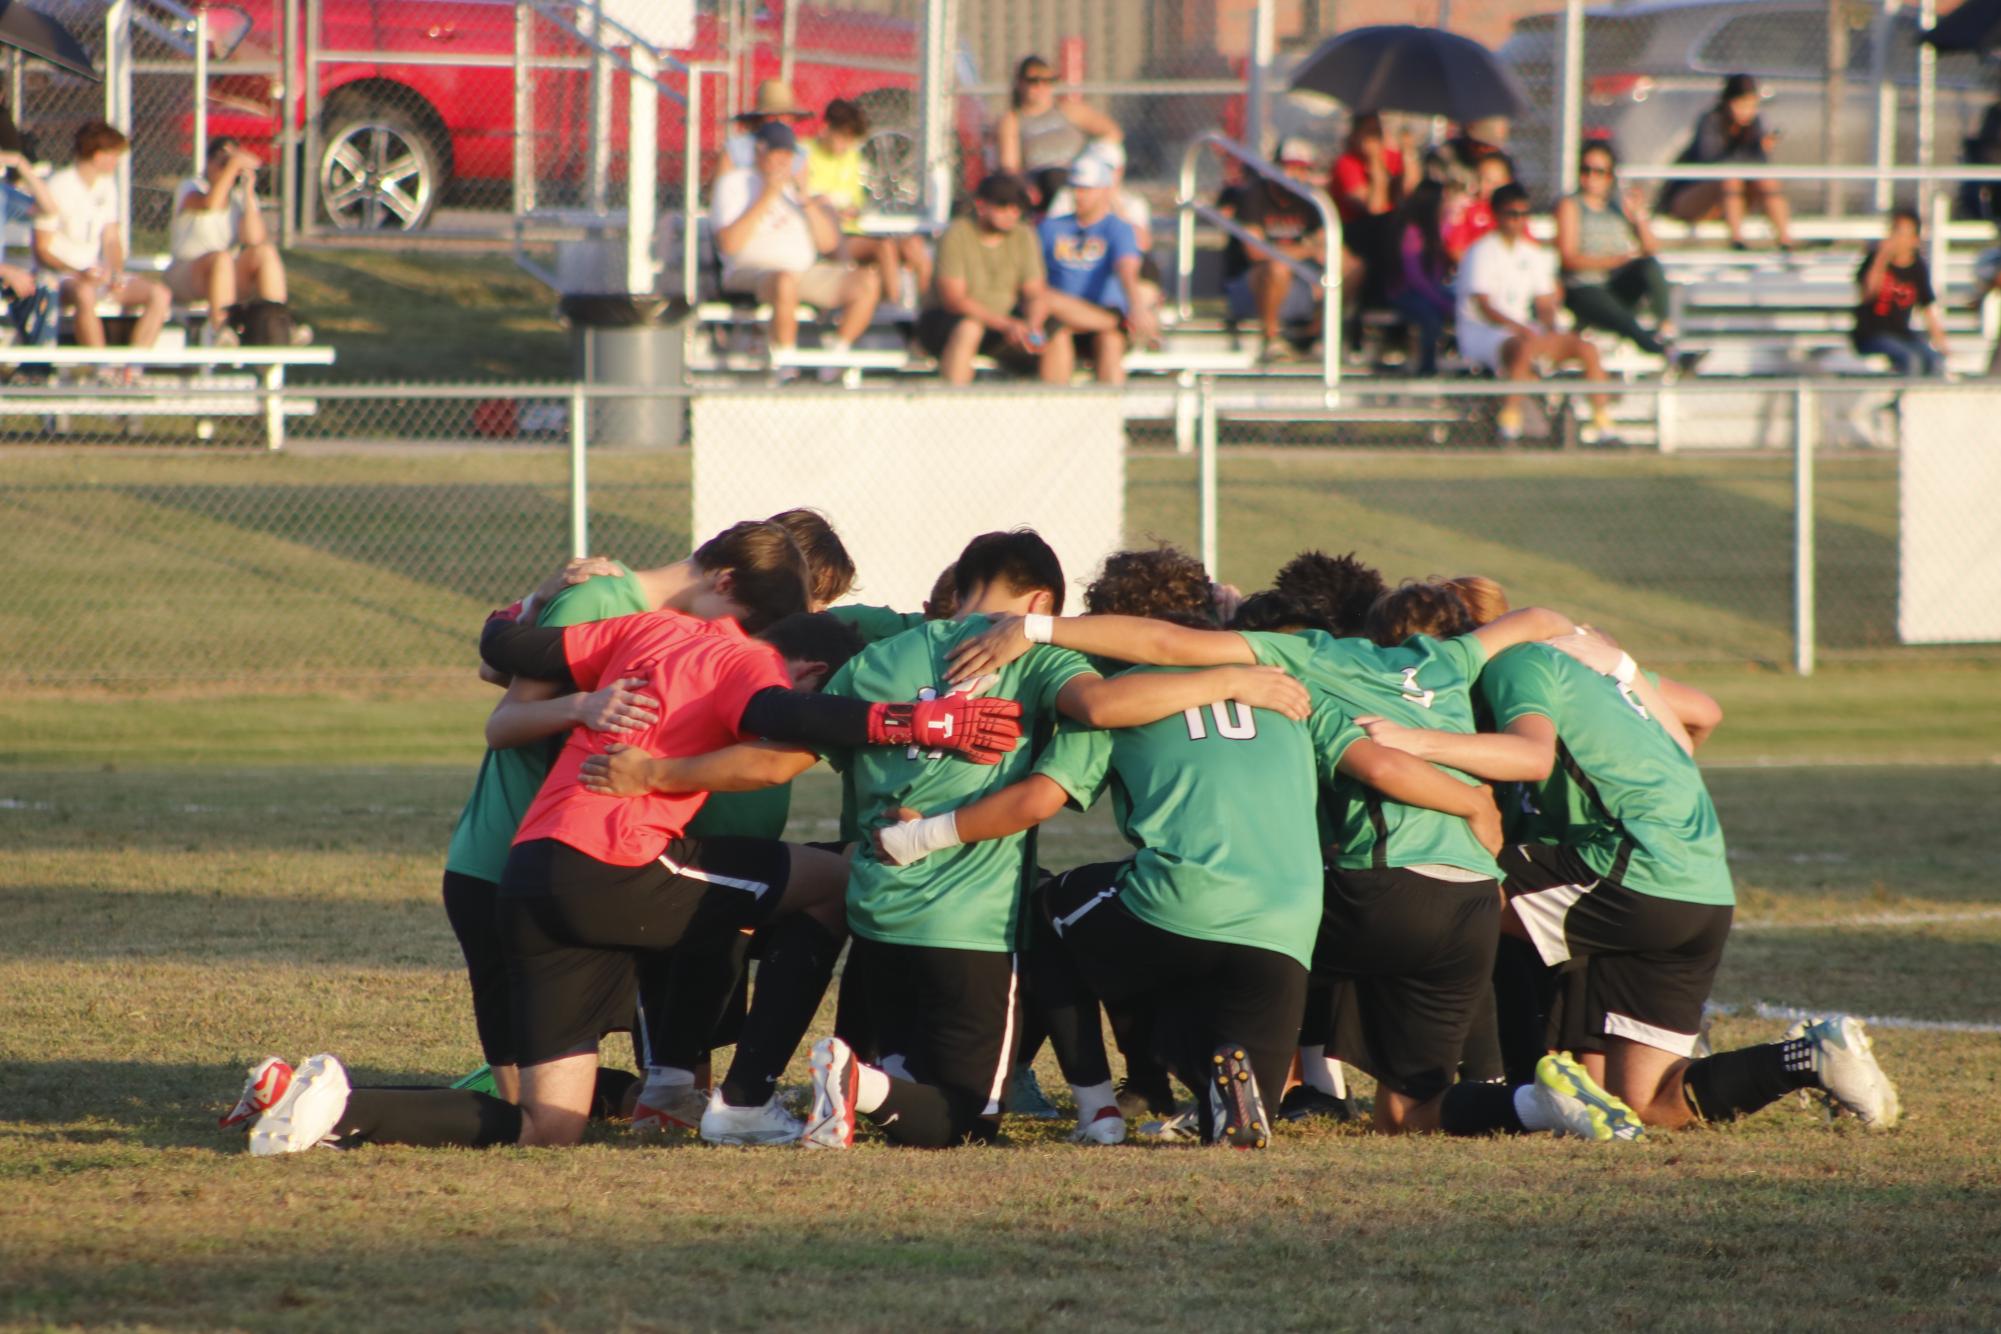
1650	961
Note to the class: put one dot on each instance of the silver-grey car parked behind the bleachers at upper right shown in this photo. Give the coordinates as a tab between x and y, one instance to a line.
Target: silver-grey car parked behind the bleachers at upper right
1656	67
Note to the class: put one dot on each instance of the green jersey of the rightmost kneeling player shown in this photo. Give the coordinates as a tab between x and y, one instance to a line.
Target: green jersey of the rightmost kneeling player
1622	793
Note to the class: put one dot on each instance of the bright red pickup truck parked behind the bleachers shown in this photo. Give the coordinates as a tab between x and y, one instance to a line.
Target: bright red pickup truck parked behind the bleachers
407	129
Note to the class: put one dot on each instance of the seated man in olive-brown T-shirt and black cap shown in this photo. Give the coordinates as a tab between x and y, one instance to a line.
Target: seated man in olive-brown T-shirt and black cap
991	297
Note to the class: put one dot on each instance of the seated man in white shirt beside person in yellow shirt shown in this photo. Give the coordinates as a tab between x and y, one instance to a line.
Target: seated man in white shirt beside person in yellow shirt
779	249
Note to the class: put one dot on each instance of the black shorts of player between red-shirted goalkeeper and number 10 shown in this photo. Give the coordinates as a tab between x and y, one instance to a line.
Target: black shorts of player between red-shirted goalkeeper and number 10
945	1019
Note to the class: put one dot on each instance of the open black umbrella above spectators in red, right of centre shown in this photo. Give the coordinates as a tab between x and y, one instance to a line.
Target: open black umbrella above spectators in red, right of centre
1406	69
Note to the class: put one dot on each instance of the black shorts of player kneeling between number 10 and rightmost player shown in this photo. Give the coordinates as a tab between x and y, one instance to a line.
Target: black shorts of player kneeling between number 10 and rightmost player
1412	959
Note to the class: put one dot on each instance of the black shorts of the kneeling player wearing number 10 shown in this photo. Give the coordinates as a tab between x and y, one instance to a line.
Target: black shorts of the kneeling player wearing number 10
1206	993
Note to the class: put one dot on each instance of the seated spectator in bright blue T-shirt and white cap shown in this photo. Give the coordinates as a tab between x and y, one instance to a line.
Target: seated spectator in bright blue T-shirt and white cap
1094	273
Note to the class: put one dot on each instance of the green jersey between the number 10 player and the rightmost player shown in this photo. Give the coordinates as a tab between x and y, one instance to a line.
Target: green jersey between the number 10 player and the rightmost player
1422	683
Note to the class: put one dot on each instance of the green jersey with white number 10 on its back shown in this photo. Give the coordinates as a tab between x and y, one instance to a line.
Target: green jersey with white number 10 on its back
1222	807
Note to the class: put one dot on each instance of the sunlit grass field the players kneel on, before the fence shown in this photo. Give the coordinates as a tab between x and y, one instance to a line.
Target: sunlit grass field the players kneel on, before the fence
195	883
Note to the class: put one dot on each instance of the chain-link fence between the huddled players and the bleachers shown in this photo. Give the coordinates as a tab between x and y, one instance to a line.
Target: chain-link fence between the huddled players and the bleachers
367	553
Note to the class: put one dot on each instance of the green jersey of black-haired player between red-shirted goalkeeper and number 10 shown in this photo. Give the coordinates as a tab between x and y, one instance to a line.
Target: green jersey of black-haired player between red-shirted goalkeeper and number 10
969	897
